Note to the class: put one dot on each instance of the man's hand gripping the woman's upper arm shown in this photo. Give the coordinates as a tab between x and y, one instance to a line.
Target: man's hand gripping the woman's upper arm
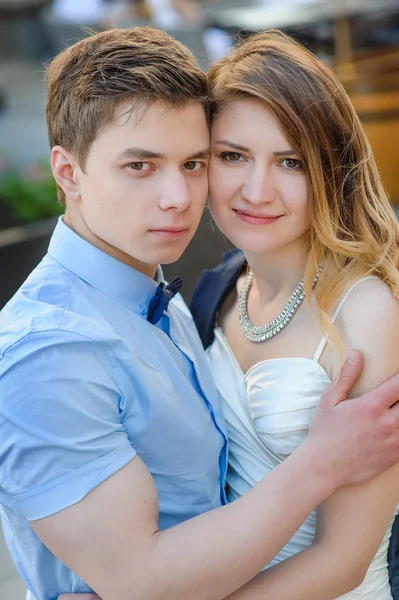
360	437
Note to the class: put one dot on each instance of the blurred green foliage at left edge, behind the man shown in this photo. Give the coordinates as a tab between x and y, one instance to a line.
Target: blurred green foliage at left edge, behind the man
31	194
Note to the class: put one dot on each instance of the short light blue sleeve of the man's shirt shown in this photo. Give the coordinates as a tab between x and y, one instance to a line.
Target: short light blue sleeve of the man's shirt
61	433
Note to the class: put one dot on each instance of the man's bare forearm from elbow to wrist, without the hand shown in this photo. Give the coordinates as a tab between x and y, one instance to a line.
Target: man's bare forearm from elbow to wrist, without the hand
216	553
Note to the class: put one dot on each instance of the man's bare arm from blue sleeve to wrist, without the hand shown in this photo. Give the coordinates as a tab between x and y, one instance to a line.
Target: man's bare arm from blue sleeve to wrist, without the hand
112	541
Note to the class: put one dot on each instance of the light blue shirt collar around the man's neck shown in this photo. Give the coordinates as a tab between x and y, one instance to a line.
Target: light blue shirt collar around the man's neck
110	276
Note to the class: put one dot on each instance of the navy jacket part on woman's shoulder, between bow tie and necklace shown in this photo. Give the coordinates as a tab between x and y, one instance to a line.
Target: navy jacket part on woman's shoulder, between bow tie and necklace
213	287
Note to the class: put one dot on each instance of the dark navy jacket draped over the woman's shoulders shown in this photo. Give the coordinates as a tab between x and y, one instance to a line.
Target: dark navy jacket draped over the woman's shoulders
210	292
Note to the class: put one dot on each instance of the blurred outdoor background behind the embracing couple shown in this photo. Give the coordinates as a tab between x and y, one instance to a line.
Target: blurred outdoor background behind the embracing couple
359	39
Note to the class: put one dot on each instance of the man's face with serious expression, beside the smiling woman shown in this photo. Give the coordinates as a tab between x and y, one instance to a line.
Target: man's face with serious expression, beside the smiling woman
144	185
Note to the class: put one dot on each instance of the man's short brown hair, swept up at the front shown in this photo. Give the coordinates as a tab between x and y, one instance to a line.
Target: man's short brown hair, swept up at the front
89	80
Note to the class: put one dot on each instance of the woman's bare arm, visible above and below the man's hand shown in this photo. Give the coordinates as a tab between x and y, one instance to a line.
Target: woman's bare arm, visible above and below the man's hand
352	522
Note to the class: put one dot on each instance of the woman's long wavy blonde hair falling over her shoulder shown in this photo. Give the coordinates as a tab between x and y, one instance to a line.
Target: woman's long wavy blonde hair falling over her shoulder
353	223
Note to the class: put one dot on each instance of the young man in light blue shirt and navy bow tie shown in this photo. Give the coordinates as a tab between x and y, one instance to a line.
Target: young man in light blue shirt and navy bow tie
112	444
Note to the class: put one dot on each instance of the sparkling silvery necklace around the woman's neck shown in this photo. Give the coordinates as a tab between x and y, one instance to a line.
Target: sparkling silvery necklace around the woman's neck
265	332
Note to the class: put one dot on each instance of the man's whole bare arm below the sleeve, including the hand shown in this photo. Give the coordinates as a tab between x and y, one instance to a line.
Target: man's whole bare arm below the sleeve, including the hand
119	551
